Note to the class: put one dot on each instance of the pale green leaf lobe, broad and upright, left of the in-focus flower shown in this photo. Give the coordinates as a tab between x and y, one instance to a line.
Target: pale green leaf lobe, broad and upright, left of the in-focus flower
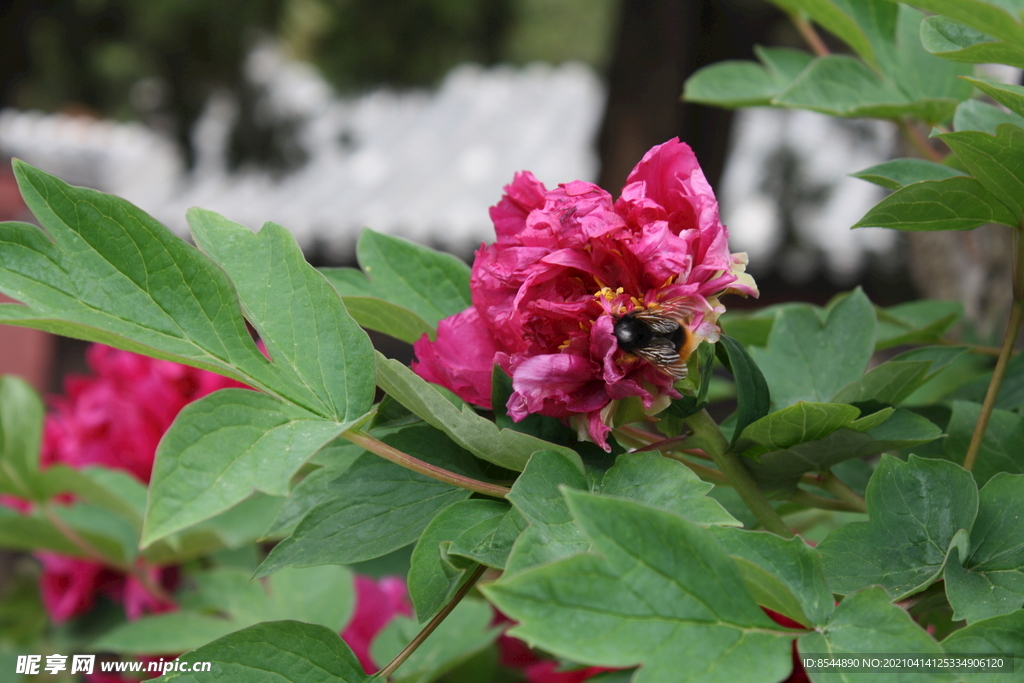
297	314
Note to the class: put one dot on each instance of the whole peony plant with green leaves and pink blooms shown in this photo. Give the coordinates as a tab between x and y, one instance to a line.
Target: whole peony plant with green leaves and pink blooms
646	487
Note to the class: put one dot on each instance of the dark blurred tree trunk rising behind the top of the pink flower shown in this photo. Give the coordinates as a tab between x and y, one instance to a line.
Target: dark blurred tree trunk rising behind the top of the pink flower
660	45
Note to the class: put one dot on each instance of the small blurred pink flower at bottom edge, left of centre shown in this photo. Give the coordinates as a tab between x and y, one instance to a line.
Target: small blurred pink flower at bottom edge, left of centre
377	603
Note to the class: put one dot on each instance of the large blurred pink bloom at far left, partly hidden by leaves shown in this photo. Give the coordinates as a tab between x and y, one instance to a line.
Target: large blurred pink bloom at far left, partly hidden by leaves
114	418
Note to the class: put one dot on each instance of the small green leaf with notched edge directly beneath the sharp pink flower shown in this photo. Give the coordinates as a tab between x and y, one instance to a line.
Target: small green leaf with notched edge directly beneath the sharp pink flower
538	496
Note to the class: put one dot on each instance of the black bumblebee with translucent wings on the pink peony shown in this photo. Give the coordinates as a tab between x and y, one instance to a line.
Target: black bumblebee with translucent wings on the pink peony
660	336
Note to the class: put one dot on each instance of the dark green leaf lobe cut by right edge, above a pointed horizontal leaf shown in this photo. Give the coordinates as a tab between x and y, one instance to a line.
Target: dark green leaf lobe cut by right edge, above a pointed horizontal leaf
998	162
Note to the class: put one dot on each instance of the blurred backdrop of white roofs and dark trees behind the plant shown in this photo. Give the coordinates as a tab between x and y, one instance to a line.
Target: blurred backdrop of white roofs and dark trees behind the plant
410	116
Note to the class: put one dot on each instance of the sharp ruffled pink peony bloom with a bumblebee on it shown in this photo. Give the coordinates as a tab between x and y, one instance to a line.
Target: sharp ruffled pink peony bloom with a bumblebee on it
570	263
